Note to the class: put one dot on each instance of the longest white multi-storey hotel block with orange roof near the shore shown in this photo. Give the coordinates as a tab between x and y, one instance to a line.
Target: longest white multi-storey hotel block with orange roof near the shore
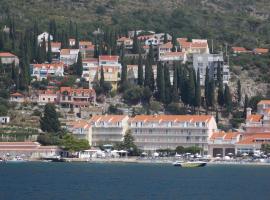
152	132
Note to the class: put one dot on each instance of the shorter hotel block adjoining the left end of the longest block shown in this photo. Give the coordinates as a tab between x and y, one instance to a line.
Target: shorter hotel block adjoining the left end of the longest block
108	129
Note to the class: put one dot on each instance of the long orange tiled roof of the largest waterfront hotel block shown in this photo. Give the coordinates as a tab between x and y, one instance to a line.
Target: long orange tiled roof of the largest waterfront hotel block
168	118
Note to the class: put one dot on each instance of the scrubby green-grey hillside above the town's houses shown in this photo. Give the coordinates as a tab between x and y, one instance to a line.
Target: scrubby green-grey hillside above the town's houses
216	19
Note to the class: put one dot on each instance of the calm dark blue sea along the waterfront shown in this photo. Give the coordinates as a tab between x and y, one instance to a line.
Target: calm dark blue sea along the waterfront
84	181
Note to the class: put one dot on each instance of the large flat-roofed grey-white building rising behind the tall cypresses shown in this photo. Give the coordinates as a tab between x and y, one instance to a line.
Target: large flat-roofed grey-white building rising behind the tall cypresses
212	62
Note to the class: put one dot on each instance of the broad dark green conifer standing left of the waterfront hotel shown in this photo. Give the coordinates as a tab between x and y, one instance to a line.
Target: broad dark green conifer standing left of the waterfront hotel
50	122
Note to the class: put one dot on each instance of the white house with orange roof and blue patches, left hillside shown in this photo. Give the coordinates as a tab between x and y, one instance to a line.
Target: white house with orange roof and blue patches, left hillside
46	70
